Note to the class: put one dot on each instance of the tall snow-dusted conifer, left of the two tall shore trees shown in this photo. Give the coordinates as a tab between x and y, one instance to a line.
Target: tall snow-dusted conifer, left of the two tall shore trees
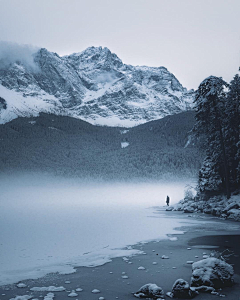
210	109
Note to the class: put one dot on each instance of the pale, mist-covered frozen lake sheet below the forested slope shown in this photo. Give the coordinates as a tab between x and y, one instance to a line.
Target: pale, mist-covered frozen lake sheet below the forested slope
49	225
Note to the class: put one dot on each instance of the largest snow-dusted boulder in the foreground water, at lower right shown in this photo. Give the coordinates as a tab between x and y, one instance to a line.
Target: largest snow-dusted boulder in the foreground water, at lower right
212	272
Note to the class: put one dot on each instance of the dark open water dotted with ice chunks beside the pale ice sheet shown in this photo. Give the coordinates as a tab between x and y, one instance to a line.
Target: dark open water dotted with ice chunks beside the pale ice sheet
125	275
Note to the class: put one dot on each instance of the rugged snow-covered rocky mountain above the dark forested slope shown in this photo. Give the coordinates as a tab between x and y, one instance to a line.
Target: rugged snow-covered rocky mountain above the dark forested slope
93	85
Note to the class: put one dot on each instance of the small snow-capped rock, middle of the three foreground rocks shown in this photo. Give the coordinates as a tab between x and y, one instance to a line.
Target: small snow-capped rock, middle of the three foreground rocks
181	289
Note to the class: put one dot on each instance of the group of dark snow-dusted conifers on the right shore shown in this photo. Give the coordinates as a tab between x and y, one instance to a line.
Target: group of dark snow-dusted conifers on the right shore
218	120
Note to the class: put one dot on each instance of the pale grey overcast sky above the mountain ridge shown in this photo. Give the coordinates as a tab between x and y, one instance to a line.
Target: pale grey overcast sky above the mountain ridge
192	38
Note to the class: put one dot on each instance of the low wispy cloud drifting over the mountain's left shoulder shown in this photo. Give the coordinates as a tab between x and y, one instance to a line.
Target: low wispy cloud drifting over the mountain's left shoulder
13	52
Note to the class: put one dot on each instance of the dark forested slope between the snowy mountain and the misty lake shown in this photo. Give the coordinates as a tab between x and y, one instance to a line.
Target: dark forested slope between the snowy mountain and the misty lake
71	147
